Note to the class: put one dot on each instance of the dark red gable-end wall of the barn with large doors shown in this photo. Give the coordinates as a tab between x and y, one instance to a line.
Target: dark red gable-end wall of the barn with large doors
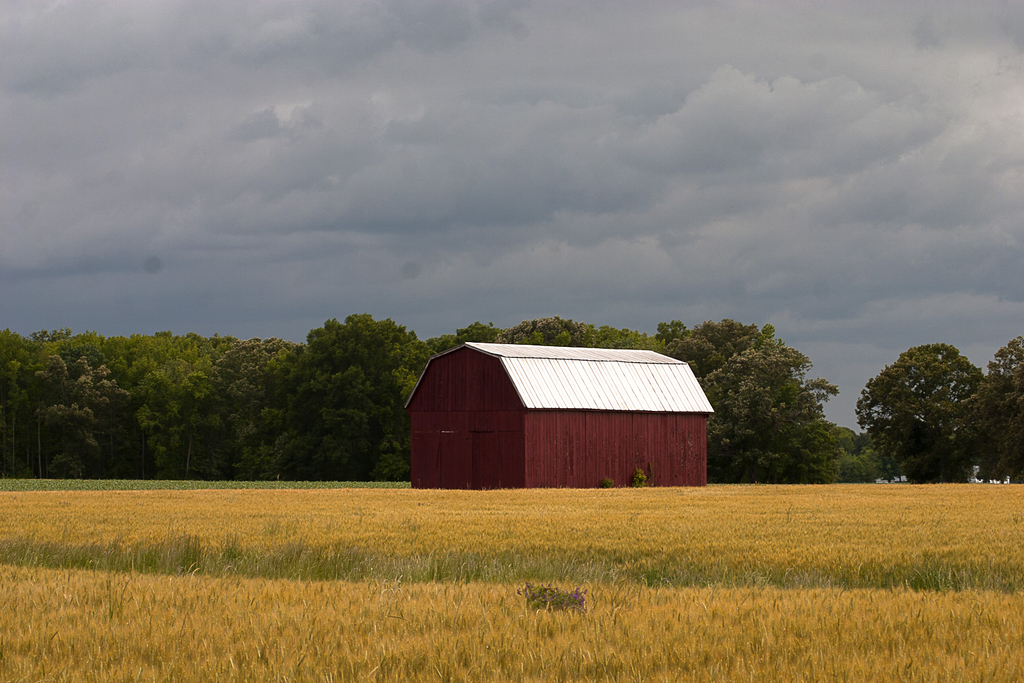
467	424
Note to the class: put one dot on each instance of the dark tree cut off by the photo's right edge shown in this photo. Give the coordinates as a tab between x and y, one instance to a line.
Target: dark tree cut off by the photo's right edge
999	412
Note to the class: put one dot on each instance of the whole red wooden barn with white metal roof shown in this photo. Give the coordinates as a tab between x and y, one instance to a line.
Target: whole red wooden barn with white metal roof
504	416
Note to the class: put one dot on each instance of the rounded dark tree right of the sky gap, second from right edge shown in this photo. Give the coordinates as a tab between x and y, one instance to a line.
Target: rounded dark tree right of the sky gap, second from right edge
916	411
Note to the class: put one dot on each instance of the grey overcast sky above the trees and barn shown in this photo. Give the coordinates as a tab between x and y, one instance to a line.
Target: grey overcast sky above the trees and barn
851	173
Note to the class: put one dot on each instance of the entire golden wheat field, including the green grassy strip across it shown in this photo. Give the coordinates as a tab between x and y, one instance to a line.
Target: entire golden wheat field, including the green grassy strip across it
720	584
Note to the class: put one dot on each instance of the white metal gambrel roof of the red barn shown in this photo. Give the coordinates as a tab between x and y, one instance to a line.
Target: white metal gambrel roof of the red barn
598	379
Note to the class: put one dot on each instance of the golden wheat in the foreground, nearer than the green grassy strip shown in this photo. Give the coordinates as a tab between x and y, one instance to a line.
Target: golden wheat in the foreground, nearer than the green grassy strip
87	626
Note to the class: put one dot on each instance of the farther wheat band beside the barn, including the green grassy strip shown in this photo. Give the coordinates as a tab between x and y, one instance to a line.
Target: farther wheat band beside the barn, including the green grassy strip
940	538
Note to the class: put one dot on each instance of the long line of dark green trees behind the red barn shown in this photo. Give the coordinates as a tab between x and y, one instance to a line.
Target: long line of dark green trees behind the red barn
165	406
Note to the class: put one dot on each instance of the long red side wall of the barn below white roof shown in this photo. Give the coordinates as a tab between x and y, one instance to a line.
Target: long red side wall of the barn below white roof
578	449
